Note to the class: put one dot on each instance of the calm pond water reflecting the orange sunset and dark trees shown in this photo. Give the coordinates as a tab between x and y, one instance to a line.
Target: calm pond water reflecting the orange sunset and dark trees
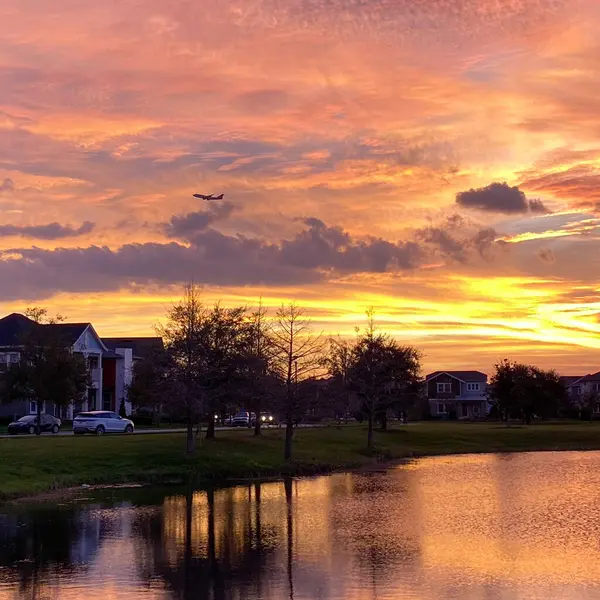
495	527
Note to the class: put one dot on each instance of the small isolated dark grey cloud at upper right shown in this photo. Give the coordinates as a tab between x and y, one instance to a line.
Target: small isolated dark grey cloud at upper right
501	198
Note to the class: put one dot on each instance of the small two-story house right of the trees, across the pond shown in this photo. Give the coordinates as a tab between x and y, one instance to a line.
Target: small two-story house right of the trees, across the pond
462	393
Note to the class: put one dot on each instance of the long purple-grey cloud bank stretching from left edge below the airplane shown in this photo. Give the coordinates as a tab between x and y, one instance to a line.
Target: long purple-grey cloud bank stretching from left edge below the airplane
199	252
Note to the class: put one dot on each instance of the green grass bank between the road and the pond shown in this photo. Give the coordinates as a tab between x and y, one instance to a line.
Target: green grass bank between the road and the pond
31	466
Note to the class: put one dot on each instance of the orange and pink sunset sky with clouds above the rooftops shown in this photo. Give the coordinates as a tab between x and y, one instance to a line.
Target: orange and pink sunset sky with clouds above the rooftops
438	160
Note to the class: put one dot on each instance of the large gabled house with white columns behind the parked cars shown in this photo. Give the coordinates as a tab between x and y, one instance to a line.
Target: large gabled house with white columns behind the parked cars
109	361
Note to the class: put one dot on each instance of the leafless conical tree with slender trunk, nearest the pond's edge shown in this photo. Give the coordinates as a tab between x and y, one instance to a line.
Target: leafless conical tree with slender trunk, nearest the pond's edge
298	357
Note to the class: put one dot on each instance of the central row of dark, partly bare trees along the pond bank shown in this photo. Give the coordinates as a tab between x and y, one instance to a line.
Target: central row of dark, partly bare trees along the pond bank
218	359
